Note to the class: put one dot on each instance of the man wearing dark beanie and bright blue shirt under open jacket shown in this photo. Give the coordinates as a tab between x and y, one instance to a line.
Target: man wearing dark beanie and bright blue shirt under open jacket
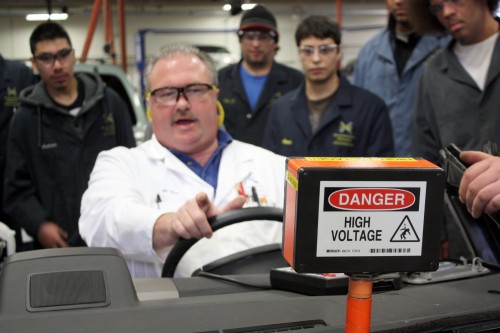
248	88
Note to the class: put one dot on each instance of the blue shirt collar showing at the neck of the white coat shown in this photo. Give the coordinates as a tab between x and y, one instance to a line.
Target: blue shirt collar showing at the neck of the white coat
210	171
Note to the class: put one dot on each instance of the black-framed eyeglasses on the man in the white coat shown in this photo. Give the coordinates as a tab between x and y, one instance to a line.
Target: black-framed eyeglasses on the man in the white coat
169	96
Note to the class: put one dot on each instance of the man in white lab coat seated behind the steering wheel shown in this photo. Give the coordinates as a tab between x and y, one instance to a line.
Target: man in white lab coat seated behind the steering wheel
142	200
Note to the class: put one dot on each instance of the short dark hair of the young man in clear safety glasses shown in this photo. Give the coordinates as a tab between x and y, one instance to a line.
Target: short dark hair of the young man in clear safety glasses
318	26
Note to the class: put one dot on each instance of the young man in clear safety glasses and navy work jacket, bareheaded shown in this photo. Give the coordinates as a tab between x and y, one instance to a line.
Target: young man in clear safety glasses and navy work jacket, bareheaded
326	115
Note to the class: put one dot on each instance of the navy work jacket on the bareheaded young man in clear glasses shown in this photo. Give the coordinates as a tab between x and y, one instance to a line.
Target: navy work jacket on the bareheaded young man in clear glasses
356	124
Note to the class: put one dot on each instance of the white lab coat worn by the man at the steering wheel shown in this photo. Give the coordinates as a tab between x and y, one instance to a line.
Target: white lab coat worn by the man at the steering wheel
130	188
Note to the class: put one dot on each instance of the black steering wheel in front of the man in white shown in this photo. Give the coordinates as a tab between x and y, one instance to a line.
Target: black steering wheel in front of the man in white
217	222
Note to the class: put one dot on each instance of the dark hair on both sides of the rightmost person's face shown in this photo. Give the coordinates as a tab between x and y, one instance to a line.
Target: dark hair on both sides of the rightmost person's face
424	22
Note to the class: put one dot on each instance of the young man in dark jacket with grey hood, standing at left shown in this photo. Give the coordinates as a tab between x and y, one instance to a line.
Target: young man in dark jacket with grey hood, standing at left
63	123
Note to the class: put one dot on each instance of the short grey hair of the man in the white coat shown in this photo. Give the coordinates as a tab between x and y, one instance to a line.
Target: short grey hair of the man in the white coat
183	49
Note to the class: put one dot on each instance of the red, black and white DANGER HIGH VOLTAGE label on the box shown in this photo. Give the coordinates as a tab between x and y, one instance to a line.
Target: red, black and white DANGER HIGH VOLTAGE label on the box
370	218
